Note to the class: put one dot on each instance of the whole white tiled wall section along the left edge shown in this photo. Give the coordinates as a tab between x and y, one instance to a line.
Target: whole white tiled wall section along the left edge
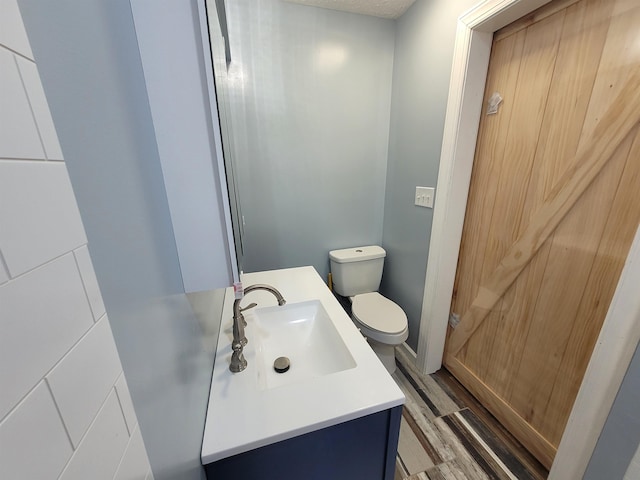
65	409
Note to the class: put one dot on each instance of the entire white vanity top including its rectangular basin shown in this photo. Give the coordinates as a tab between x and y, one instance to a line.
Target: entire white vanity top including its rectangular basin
334	375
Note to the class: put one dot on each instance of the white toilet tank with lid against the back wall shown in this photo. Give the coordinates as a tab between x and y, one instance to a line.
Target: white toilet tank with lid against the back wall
357	270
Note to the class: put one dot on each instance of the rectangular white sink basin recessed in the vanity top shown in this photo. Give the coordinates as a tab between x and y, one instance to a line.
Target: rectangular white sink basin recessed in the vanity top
302	332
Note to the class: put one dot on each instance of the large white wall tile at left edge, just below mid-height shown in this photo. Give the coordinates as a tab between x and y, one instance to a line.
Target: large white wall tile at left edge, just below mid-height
44	313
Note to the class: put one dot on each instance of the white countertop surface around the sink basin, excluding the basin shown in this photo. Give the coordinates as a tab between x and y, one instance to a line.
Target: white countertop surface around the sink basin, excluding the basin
241	416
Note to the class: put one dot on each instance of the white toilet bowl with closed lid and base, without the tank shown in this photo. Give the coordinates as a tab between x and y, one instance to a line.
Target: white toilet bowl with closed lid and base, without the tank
382	322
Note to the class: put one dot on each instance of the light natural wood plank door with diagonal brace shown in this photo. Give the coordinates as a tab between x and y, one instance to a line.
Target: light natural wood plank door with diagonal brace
553	206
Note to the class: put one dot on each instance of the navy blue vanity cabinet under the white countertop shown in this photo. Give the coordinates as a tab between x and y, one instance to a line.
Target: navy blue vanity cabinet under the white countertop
364	448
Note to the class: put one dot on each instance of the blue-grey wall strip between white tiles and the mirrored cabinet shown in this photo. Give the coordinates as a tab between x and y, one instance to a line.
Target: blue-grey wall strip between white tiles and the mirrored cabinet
90	66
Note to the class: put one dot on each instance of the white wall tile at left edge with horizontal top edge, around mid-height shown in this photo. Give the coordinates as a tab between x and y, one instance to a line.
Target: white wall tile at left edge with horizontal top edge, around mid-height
38	213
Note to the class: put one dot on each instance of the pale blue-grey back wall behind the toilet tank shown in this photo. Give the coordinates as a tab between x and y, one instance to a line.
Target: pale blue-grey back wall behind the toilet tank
309	92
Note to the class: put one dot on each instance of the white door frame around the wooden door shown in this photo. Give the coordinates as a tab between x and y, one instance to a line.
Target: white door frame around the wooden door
615	346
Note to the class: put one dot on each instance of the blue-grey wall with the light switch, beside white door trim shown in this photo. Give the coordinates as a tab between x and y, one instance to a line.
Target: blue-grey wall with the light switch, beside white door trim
423	55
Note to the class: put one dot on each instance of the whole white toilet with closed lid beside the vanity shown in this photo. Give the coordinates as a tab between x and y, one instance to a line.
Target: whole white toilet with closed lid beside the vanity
356	274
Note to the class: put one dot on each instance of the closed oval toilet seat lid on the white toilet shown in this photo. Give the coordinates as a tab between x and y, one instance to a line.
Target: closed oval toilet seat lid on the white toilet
379	314
